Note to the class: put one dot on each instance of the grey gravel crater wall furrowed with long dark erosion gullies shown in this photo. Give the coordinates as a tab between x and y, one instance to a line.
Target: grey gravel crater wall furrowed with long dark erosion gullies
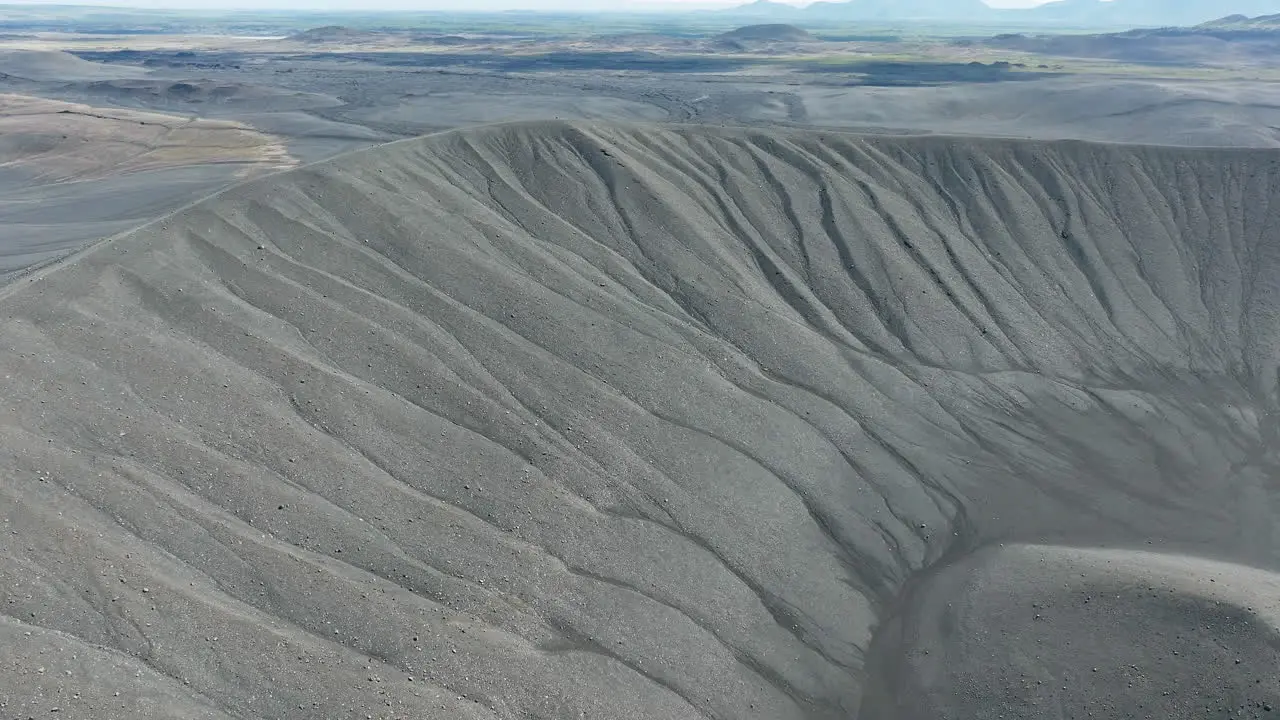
557	421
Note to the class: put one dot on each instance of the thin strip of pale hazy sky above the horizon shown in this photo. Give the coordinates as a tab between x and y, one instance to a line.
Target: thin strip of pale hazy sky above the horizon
449	4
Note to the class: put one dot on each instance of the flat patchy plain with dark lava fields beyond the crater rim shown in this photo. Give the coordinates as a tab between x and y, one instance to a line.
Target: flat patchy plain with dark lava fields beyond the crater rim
126	130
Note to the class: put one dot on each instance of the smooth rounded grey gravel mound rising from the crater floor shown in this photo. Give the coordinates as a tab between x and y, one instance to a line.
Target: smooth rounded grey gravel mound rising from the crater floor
1027	632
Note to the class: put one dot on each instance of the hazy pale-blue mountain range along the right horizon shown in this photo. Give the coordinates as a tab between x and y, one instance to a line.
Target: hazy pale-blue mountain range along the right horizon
1084	13
